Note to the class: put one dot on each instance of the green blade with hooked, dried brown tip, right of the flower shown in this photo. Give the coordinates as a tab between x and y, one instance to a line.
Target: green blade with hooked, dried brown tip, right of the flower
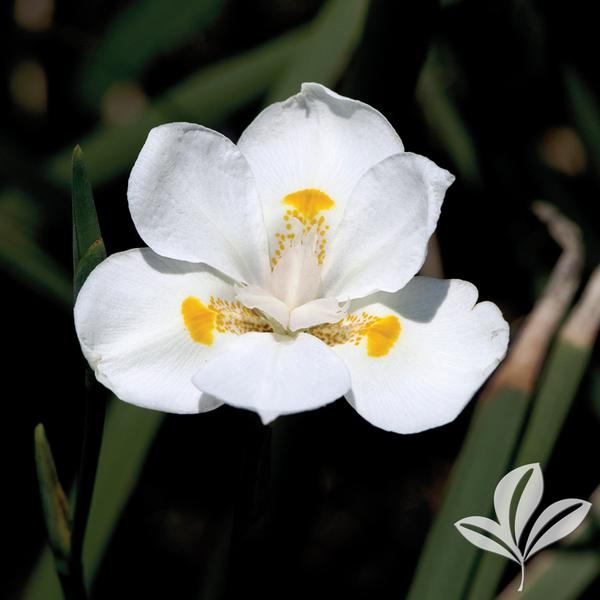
495	428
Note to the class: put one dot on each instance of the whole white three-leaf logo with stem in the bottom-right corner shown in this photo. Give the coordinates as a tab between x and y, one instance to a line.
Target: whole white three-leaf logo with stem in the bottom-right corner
515	500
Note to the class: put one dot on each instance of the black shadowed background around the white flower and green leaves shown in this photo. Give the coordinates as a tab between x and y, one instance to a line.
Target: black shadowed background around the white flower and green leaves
346	509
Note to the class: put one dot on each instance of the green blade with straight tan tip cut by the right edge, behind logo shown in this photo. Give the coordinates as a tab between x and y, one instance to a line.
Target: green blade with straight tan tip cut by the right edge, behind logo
558	386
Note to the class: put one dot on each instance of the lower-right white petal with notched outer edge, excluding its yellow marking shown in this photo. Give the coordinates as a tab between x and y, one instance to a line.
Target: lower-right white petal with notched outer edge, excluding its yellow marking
446	349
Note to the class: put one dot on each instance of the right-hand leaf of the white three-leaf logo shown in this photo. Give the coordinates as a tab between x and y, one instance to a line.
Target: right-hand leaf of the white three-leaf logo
577	510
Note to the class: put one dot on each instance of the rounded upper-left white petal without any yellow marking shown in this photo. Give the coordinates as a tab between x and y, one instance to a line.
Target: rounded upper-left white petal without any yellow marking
192	197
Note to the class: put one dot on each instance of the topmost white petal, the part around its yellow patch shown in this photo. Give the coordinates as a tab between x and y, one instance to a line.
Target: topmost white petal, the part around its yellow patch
316	139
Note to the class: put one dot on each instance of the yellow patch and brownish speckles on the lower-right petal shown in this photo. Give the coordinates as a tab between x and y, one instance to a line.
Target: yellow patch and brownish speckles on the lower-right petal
381	332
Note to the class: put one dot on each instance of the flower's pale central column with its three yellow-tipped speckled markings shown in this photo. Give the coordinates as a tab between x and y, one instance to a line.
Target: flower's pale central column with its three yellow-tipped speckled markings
291	301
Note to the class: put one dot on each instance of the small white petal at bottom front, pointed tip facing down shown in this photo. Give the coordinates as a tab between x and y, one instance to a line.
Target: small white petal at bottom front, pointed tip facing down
273	374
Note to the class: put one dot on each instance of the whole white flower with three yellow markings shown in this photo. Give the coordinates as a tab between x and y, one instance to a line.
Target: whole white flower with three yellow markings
280	275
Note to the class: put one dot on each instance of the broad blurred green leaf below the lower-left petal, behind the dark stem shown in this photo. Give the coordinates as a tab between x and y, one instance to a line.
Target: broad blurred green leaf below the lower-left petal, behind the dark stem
128	436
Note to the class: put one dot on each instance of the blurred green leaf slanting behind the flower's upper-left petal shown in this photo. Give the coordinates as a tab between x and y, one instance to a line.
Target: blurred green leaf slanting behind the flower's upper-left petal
207	97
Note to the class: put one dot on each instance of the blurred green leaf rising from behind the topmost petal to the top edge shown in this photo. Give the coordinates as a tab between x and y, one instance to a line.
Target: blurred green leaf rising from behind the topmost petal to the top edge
326	49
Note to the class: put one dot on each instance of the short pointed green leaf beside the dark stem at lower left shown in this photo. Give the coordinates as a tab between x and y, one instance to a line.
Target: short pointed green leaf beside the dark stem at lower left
55	505
